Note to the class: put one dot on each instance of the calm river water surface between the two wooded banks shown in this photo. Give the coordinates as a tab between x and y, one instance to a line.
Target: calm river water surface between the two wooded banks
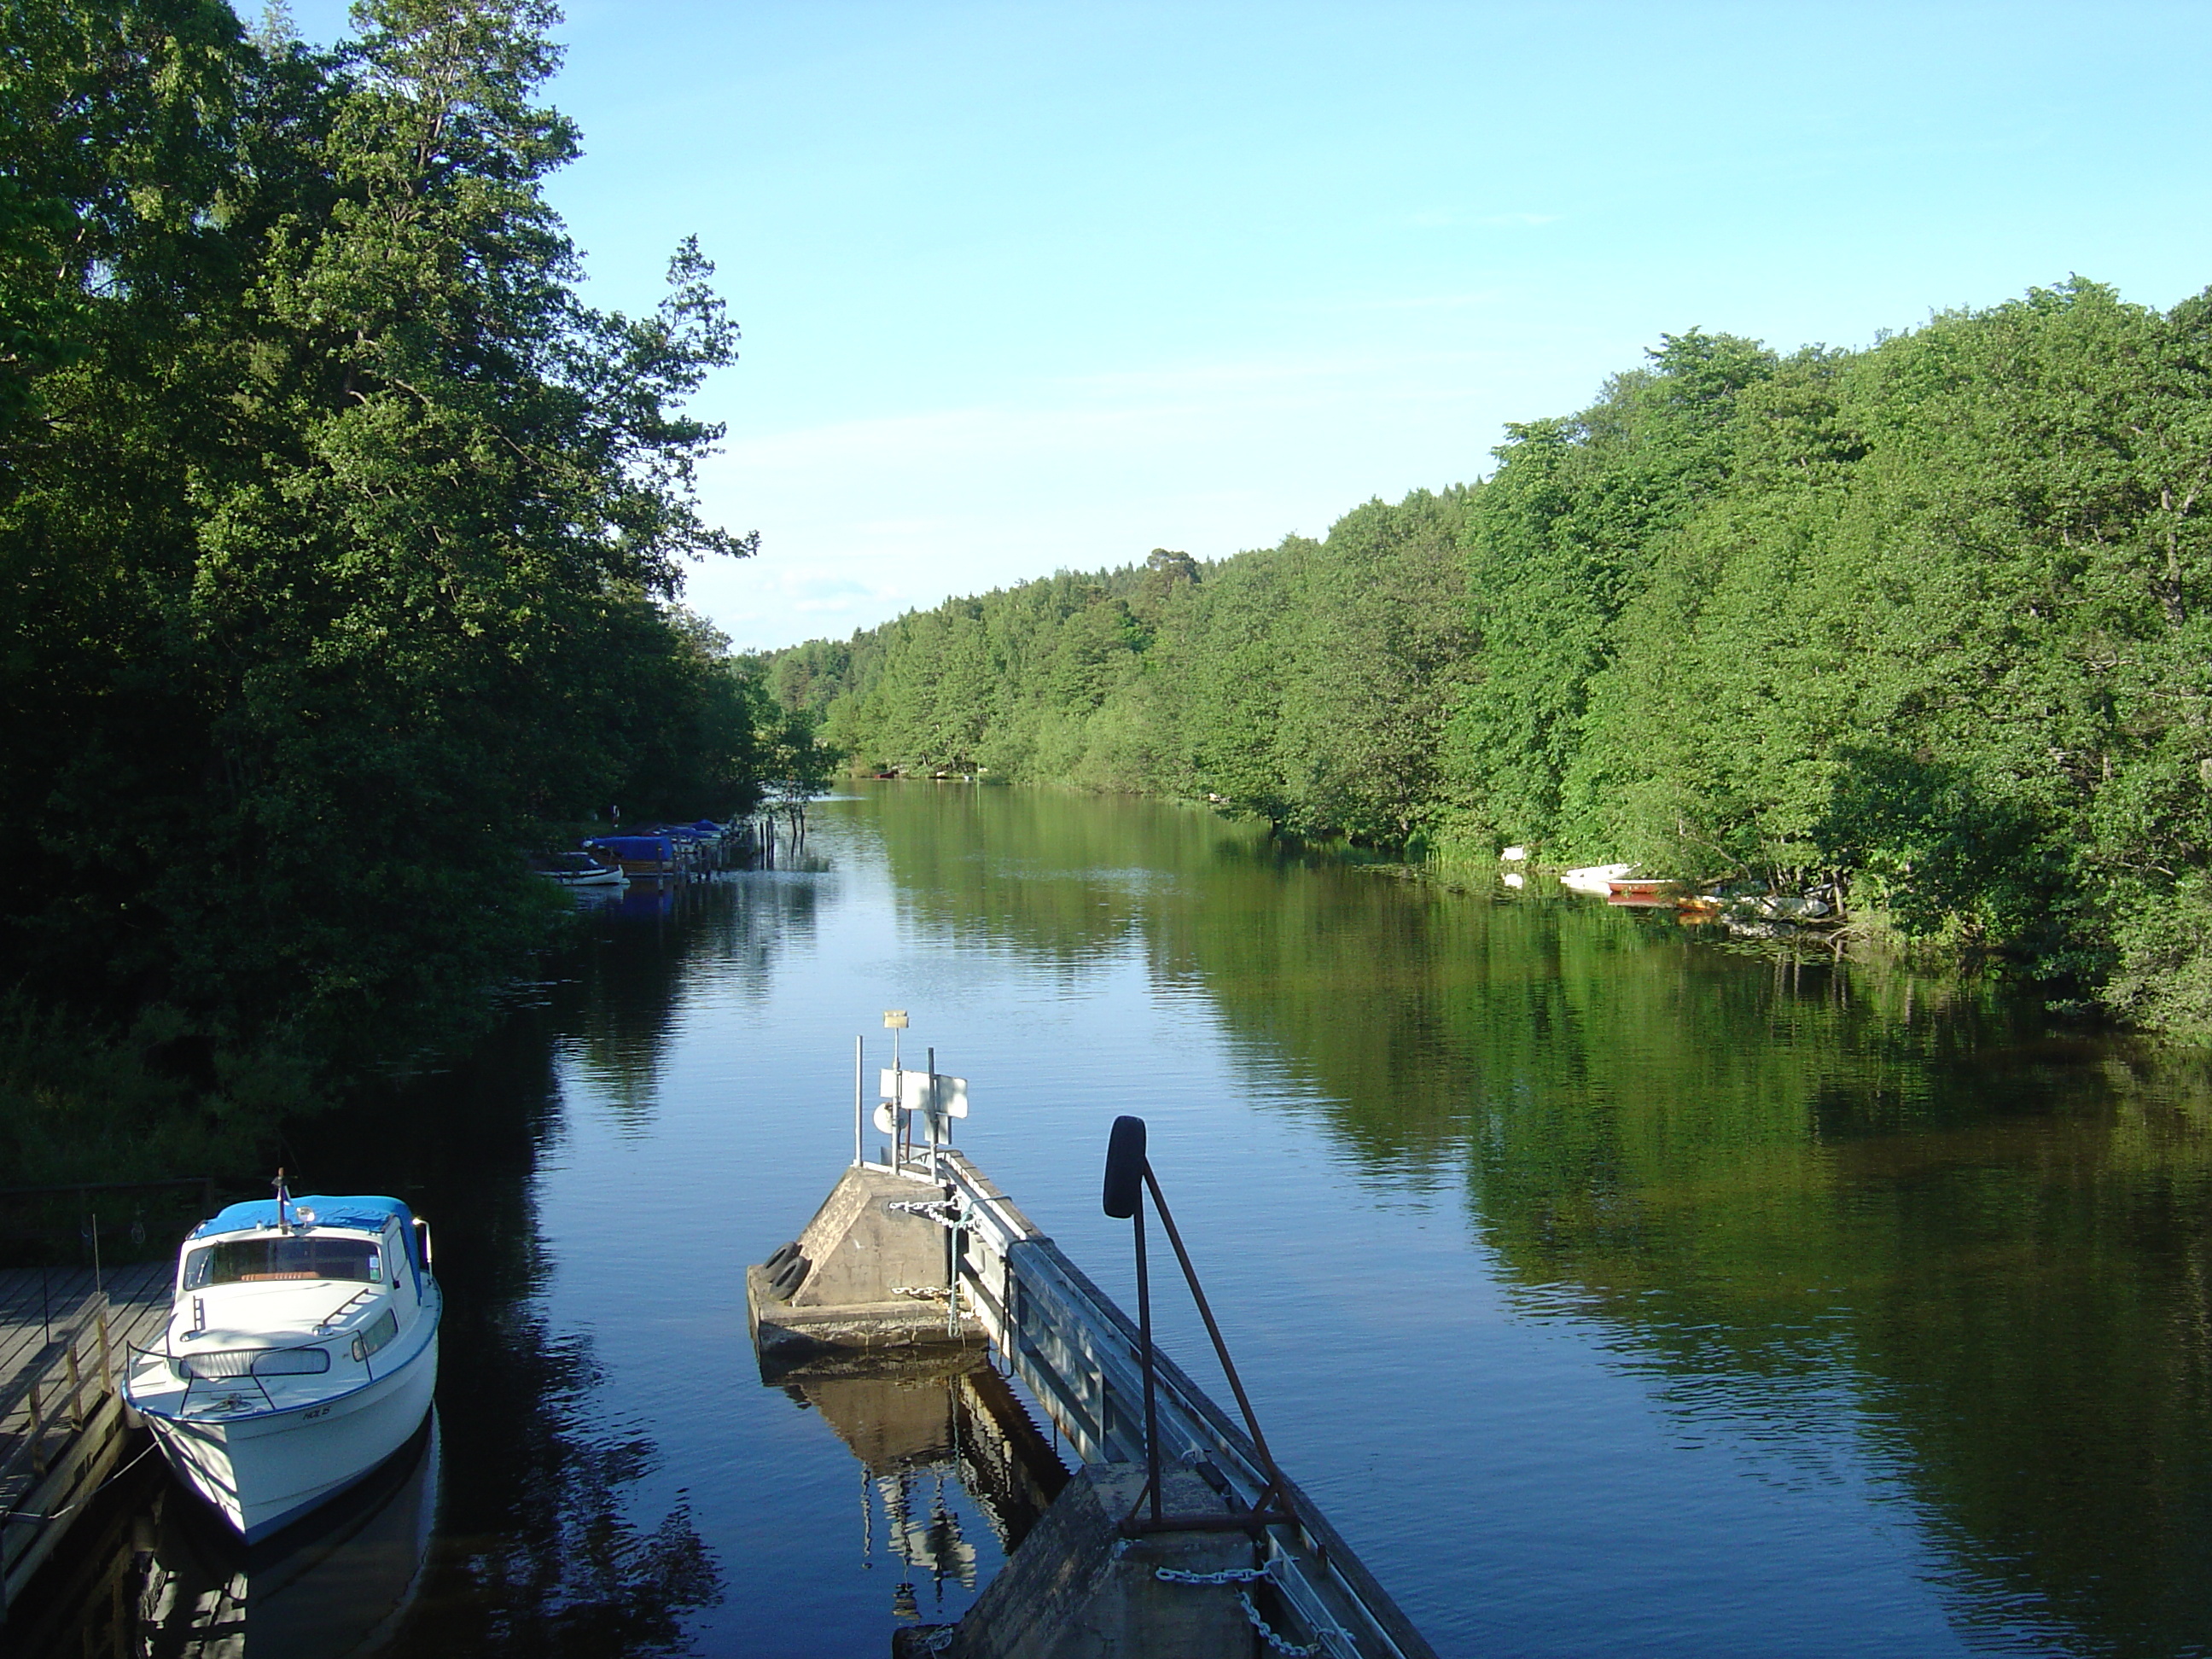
1616	1293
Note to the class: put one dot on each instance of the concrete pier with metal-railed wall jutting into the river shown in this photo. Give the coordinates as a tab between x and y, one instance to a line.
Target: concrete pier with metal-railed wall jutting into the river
1078	1587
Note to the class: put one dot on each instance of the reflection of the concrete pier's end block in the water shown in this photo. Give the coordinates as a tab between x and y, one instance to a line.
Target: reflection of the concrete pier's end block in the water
928	1432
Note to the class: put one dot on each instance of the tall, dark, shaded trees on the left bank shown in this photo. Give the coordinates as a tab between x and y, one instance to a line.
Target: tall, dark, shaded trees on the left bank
342	550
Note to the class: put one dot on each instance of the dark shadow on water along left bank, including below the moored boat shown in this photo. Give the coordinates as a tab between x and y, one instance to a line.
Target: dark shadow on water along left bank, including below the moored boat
536	1547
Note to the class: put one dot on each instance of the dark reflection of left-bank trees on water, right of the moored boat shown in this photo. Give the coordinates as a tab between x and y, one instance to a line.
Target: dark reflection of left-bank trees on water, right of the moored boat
543	1545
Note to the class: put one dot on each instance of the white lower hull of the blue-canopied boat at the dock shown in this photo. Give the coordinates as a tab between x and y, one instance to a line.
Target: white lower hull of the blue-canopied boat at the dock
269	1470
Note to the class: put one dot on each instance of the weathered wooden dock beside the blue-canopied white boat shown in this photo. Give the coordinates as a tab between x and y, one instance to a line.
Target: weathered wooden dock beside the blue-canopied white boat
63	1423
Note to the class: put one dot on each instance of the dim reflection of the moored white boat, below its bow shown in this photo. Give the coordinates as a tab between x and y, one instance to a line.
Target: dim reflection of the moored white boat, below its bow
333	1587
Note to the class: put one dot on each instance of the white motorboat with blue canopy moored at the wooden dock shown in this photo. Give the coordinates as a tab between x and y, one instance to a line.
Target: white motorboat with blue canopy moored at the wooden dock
302	1353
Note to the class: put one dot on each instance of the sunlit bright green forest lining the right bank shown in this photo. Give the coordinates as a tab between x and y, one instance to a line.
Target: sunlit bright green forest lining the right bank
1926	620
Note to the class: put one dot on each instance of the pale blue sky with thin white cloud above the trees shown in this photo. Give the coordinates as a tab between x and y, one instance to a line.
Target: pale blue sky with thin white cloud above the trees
1047	286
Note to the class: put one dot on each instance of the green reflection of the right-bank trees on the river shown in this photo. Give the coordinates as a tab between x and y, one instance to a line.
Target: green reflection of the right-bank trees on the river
1806	1200
